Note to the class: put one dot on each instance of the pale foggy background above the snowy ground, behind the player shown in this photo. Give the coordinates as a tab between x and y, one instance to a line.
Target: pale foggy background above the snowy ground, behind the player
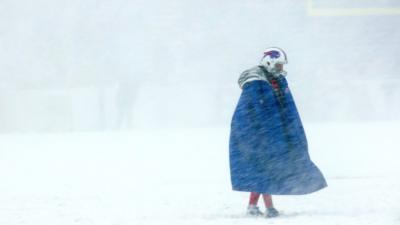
110	65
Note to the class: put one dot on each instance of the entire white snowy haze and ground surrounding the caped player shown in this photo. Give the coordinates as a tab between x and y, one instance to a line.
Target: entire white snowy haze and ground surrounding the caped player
118	112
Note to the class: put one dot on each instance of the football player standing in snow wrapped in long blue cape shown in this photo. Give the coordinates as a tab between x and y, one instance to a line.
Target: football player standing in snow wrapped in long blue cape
268	148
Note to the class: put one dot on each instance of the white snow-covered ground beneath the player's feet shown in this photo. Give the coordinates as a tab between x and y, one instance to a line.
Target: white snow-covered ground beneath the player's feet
181	176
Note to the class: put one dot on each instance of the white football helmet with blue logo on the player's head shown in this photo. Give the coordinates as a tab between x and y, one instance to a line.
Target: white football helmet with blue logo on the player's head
273	60
